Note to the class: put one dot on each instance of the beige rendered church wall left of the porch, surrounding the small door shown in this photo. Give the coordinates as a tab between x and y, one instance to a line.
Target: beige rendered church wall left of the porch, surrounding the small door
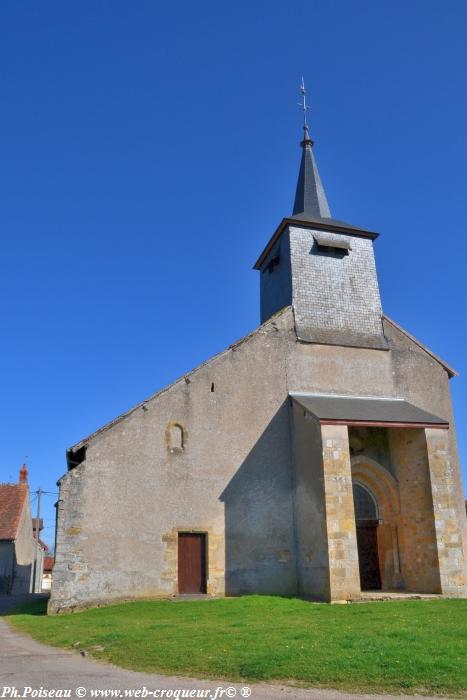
121	509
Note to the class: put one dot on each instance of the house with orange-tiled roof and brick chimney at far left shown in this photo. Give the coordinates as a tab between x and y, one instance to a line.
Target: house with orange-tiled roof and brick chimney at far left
17	543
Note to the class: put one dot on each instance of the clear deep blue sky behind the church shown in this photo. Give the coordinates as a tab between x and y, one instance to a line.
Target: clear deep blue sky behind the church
147	152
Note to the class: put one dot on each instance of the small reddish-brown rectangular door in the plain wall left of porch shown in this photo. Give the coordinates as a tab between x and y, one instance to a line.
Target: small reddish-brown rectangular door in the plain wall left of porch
191	562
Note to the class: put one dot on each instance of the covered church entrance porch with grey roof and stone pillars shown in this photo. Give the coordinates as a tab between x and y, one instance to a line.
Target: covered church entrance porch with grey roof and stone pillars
374	498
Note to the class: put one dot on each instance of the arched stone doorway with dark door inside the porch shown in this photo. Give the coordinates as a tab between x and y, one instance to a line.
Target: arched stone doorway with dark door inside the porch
376	504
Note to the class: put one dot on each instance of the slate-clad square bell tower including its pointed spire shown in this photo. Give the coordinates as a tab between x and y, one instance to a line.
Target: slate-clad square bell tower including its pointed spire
324	268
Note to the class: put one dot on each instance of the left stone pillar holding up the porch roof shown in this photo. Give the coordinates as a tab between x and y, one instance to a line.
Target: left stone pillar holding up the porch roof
344	578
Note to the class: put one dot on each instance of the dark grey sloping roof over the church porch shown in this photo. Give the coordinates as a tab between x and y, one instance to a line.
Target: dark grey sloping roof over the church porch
367	411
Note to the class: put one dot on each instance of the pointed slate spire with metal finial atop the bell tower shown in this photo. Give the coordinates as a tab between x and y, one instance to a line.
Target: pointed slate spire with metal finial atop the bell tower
310	197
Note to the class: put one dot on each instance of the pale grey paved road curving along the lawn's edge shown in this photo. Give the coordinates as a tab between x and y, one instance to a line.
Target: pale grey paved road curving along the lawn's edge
26	663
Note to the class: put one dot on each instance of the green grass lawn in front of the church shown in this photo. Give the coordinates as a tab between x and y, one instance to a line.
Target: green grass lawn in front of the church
403	646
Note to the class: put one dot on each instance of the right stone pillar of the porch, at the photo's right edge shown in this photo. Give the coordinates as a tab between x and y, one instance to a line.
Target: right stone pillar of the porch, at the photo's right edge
446	517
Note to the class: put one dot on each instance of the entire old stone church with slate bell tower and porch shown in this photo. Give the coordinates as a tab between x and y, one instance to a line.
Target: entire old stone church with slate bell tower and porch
315	457
